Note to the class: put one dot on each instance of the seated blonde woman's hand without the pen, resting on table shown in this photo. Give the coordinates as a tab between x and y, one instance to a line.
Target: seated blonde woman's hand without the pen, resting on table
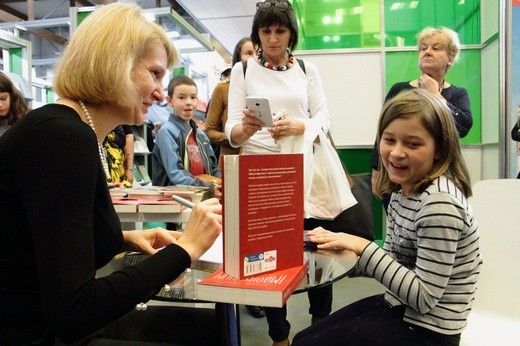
148	241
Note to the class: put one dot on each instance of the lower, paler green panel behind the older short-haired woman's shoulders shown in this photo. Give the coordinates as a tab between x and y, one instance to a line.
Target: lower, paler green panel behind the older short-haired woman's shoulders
403	66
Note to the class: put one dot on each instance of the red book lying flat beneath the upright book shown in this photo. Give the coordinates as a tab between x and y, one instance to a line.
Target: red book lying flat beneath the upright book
272	289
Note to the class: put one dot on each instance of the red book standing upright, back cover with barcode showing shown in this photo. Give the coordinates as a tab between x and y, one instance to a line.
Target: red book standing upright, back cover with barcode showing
263	213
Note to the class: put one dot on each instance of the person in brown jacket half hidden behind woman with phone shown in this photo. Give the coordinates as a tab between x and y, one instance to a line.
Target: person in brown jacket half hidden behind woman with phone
218	107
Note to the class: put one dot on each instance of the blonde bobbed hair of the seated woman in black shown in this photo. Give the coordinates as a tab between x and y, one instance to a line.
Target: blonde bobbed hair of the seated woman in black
98	63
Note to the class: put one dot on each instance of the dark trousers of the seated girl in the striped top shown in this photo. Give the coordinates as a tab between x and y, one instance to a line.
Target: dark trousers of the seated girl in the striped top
370	321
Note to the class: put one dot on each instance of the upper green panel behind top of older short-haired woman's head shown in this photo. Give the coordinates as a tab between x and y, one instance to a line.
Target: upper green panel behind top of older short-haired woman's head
404	19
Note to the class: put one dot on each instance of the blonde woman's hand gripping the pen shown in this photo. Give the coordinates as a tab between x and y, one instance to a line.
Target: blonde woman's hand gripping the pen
204	226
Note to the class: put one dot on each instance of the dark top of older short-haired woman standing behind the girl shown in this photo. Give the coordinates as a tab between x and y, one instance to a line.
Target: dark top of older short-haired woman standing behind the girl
457	100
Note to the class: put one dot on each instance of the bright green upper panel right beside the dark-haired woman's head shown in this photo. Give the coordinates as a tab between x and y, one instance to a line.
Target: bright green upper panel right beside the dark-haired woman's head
330	24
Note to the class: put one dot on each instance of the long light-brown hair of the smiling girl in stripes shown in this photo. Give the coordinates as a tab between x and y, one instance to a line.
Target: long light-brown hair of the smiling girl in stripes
436	118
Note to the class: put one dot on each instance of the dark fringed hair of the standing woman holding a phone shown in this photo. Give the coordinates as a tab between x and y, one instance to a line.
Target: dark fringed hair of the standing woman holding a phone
274	16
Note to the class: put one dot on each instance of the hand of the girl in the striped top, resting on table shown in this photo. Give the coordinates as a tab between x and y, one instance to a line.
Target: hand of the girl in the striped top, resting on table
327	240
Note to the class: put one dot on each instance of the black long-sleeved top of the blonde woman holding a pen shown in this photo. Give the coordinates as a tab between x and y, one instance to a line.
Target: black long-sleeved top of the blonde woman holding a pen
58	226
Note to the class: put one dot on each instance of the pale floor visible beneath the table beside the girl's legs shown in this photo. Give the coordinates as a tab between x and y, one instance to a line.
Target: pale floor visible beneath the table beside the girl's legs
254	330
